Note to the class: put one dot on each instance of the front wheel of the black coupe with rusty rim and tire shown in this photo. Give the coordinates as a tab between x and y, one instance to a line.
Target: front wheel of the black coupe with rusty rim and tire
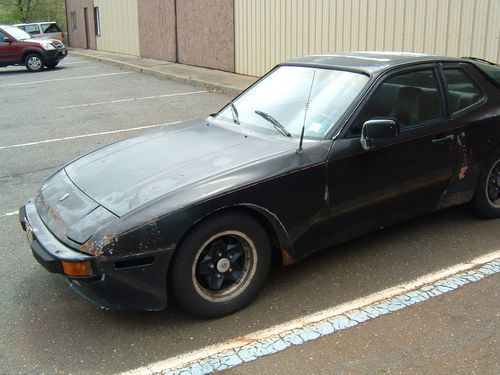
221	265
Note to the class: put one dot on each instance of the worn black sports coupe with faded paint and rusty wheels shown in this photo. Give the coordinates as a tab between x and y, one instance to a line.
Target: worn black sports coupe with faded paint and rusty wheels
320	150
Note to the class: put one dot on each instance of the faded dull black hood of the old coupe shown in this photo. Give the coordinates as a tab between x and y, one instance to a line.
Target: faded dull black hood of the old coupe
126	175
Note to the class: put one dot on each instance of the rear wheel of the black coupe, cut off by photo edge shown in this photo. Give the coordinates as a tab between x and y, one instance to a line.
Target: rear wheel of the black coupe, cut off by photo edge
486	200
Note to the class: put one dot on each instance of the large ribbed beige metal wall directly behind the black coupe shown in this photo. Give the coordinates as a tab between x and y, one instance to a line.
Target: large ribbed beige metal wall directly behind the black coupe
270	31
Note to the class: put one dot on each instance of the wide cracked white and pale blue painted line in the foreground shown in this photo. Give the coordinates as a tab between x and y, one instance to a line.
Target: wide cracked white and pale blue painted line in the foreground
310	327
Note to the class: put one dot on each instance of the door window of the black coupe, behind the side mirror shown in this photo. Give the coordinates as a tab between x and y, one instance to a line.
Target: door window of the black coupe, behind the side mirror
411	99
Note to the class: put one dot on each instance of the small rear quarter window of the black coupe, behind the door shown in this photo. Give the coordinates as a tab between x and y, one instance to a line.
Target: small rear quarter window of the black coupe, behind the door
462	90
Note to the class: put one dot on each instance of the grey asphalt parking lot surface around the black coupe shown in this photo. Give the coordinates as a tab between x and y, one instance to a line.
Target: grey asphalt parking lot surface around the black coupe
49	118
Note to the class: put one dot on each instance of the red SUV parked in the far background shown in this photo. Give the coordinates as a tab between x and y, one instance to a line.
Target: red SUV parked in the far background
18	48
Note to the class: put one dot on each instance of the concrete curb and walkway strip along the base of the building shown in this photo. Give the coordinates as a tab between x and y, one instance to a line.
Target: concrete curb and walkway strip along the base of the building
205	84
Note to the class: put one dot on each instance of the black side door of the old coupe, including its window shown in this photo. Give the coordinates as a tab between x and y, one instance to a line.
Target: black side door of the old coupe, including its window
399	176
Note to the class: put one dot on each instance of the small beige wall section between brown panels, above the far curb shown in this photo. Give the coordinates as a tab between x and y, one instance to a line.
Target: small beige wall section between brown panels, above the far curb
119	26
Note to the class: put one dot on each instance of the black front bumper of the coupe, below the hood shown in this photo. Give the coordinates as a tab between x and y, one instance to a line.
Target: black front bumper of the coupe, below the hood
135	282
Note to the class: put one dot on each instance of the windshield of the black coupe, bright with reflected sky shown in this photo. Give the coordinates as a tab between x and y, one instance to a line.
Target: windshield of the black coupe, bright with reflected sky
278	102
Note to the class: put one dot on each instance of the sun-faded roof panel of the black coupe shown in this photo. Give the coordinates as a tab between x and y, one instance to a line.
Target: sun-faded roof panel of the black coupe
368	62
